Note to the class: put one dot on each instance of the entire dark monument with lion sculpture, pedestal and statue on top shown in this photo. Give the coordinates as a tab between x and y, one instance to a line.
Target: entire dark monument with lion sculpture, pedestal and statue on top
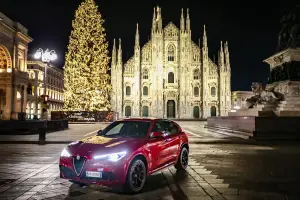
283	81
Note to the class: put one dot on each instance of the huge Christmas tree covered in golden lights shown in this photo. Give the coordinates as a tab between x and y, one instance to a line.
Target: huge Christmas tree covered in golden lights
87	83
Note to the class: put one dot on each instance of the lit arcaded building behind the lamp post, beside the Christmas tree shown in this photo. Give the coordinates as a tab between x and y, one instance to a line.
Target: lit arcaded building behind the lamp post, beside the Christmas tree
54	88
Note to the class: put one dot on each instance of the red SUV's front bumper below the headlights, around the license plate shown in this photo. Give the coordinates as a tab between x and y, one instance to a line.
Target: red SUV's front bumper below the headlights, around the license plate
113	173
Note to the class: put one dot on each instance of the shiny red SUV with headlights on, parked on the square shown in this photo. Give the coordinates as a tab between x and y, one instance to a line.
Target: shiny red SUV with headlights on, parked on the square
125	153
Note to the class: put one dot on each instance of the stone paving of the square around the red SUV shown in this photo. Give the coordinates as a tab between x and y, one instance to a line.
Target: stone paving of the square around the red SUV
216	171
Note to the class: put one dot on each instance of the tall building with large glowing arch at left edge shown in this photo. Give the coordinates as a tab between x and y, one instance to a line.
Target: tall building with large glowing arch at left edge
14	78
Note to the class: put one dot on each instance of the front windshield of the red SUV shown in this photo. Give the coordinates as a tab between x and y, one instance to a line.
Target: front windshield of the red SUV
136	129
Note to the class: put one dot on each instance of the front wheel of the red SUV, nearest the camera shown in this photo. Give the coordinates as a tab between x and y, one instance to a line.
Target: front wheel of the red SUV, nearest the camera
136	176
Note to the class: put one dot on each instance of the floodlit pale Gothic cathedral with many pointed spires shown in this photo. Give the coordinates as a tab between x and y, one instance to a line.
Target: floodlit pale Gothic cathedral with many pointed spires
171	76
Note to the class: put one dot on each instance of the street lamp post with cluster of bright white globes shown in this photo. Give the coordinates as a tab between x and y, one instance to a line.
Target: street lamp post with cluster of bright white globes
46	57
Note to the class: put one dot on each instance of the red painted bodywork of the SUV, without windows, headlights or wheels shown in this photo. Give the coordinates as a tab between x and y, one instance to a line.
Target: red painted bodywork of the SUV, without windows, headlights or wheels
158	152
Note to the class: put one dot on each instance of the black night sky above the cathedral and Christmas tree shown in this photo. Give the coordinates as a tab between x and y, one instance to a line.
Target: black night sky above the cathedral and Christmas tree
250	27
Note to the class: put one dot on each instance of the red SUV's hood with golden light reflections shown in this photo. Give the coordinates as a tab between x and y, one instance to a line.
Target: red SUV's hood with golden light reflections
96	145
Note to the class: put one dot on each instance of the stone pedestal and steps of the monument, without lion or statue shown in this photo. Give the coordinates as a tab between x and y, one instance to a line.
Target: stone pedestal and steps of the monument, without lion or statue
280	120
